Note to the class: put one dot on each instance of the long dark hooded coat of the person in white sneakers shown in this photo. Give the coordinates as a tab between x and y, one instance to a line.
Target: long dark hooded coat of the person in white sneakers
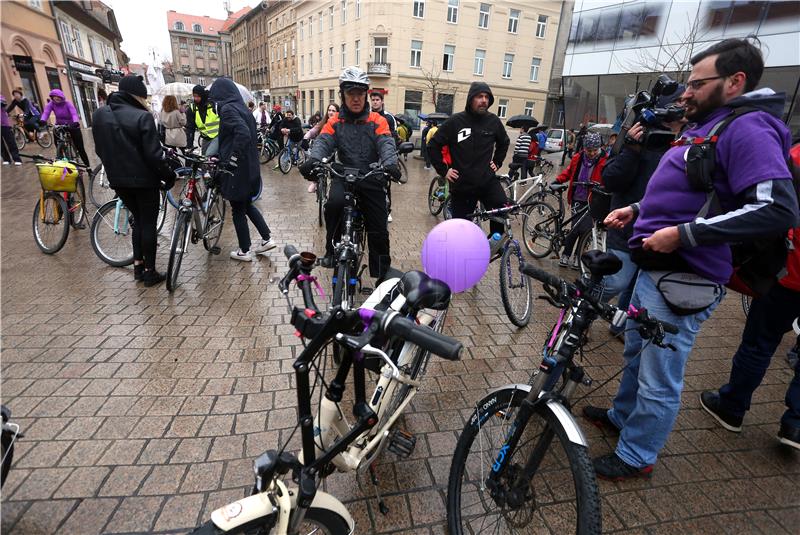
237	137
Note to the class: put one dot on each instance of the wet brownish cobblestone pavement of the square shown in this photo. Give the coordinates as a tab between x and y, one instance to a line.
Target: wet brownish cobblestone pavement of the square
143	410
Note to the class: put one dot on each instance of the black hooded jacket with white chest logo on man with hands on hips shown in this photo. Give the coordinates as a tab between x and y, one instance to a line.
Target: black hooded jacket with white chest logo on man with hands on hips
475	140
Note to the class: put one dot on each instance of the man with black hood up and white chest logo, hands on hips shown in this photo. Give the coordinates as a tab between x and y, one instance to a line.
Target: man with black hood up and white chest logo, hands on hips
478	144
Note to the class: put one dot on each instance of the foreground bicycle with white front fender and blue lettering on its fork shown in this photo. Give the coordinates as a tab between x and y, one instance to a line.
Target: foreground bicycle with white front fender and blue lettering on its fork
521	461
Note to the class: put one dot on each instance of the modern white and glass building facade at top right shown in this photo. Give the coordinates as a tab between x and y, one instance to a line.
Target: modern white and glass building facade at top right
618	48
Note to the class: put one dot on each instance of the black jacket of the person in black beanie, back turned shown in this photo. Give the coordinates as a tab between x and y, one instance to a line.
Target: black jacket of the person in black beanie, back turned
126	140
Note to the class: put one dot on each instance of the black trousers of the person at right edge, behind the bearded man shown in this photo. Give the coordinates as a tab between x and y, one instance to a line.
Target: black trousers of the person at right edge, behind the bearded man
769	319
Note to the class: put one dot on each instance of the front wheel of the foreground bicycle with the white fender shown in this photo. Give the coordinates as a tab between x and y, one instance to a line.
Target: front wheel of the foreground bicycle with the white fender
562	496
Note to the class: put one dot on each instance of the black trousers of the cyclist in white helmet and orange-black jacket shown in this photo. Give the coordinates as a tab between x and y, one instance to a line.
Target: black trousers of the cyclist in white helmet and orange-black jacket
371	196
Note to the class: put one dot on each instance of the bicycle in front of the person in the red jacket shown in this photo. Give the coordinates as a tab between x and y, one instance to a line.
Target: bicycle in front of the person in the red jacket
545	230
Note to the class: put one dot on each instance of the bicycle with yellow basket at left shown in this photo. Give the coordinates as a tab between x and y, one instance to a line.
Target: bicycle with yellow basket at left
61	203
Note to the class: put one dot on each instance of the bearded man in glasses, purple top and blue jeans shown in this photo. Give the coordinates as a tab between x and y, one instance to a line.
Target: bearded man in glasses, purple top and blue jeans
685	259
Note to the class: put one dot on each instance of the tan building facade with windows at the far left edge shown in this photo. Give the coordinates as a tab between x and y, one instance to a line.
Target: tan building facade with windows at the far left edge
32	57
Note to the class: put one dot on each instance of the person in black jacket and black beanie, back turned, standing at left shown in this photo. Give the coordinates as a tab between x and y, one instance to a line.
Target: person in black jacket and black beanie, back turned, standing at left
126	140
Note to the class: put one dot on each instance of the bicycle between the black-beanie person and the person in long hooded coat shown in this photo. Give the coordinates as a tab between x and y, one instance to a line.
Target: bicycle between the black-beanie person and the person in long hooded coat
201	215
